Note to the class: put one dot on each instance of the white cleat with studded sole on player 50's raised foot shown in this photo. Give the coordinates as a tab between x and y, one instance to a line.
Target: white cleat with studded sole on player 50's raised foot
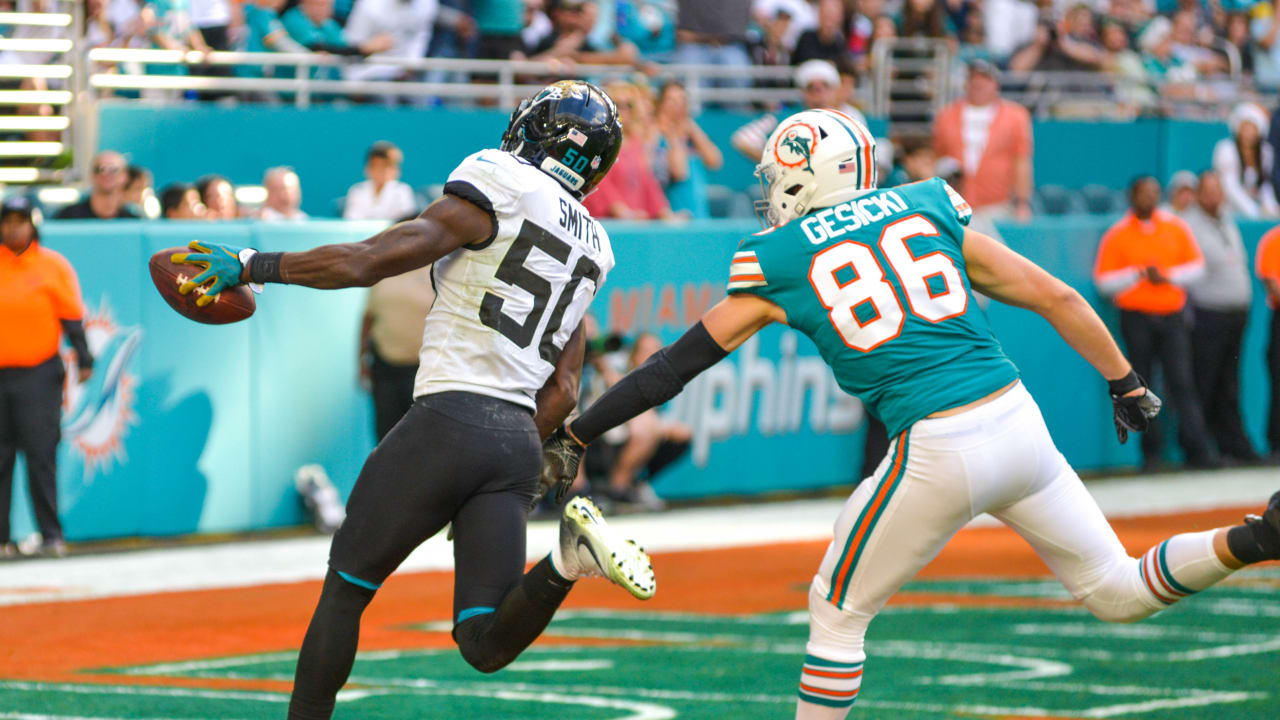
591	549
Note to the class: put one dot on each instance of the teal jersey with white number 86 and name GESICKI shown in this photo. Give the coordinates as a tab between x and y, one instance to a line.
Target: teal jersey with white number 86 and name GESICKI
880	286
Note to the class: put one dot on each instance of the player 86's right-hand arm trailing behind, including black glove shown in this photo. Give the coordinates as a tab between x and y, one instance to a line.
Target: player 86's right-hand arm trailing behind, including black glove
1011	279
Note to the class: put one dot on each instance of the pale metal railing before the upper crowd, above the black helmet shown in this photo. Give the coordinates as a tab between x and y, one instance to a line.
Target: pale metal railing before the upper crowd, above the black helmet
509	81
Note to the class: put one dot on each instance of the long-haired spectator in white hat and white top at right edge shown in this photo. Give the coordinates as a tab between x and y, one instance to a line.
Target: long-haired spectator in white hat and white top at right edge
1246	163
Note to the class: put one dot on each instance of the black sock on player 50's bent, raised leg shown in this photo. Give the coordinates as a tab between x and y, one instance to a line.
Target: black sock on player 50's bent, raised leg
491	642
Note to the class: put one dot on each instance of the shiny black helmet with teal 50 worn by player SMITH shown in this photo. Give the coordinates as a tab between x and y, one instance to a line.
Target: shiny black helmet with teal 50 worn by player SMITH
572	131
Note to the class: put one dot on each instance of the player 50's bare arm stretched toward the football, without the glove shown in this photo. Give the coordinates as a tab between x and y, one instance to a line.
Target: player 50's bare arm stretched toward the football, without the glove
447	225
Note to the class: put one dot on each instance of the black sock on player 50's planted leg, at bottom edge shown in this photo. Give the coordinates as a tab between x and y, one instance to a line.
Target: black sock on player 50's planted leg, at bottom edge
330	649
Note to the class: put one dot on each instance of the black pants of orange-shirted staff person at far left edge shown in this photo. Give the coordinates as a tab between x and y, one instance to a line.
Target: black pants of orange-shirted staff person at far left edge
31	411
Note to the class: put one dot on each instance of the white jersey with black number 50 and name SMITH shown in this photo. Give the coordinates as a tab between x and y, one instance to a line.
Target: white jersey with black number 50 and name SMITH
506	307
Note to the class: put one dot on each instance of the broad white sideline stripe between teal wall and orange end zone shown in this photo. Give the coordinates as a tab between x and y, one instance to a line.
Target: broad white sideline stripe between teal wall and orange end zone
254	563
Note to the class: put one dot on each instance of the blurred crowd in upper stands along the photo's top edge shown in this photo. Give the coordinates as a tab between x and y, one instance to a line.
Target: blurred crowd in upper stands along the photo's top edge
1148	43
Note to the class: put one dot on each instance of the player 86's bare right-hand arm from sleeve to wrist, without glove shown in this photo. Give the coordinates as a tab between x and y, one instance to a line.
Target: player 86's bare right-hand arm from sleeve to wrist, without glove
1011	279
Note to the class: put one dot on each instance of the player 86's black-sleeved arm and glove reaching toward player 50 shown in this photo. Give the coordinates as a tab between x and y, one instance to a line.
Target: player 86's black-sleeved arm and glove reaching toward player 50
725	327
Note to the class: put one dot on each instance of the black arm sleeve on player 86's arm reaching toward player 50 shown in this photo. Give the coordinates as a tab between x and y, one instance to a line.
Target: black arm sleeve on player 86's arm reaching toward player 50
655	382
